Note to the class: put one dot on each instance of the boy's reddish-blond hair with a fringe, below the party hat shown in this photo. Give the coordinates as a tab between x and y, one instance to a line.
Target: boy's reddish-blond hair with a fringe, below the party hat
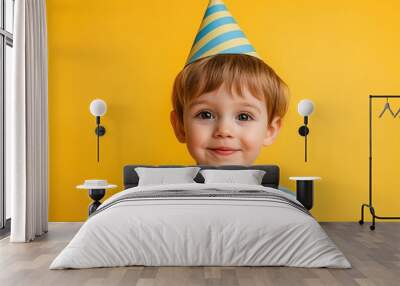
237	72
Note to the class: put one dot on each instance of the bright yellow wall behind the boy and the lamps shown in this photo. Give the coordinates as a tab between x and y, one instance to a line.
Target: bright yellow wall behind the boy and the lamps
128	53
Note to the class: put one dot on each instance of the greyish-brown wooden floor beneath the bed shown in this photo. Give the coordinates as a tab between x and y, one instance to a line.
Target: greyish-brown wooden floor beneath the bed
374	255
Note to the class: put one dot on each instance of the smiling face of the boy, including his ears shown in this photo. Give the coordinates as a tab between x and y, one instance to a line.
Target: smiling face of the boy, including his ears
221	128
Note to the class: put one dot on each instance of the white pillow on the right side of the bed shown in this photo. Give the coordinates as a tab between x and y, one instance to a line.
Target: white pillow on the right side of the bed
248	177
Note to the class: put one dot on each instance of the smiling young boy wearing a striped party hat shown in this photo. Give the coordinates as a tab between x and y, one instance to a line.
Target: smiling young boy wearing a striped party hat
227	103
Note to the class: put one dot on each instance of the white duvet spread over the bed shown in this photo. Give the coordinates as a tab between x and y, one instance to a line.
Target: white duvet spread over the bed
200	231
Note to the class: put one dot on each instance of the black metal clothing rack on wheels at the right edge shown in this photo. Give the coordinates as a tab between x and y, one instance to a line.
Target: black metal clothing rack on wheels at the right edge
370	206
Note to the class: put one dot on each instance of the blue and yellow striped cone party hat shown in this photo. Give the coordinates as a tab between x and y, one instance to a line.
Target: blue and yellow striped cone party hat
219	34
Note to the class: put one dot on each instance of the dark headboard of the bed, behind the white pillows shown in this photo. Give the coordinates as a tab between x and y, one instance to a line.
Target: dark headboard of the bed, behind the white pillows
270	179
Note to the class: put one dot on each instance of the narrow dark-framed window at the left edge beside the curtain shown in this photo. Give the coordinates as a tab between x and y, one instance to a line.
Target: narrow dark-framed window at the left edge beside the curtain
6	61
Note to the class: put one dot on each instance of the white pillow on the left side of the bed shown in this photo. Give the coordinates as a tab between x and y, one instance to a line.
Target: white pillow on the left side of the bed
162	176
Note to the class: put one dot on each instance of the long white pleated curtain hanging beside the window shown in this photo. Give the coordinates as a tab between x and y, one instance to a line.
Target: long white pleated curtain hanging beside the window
27	124
